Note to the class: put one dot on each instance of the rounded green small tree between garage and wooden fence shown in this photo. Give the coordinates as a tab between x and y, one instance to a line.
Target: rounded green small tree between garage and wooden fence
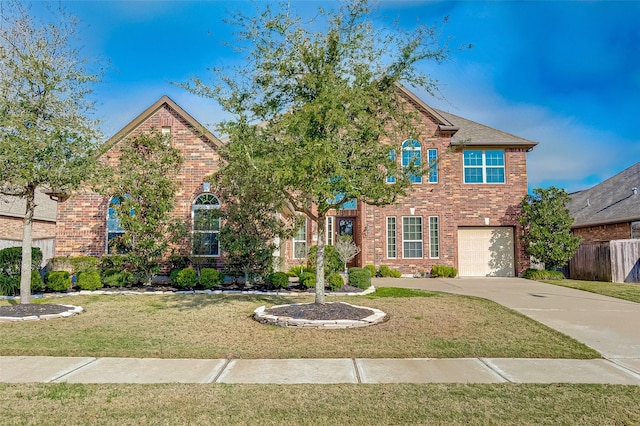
547	227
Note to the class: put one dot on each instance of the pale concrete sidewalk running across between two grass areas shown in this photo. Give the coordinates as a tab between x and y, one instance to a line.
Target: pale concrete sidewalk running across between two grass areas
315	371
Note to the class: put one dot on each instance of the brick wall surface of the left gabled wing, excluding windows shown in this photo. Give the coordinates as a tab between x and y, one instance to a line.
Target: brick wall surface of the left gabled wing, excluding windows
82	219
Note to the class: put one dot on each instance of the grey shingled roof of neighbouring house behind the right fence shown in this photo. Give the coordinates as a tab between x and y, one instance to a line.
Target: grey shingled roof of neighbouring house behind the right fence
612	201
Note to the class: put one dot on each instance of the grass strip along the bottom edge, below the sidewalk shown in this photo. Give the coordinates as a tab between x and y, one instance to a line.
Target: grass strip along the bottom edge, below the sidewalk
437	404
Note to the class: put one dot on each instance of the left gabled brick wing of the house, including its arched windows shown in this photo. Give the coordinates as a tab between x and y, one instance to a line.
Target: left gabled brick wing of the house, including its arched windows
86	222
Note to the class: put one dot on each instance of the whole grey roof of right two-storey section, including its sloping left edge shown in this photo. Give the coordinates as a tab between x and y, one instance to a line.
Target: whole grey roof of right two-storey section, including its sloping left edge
466	132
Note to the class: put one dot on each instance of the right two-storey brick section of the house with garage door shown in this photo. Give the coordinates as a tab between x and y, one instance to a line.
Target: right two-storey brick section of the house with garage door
462	214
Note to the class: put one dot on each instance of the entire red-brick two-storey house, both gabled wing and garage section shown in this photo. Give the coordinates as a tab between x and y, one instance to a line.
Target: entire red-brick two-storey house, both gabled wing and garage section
463	213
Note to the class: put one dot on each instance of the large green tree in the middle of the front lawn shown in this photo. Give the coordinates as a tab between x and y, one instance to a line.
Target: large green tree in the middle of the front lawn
324	97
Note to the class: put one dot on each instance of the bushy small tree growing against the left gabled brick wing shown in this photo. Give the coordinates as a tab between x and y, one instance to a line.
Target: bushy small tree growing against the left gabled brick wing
145	185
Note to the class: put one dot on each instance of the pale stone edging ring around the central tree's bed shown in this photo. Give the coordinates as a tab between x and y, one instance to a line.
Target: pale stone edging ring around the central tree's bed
377	317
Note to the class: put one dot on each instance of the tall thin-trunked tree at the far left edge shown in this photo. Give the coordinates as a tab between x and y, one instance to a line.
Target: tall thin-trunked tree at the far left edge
46	137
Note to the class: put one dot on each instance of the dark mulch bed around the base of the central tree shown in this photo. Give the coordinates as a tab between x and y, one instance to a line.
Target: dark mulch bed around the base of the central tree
317	311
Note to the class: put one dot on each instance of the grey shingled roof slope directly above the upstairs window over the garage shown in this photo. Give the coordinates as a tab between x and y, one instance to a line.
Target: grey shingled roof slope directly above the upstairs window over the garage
476	134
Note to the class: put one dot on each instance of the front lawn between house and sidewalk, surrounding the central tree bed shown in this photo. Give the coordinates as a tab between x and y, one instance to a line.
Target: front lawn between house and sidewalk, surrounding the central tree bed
216	326
